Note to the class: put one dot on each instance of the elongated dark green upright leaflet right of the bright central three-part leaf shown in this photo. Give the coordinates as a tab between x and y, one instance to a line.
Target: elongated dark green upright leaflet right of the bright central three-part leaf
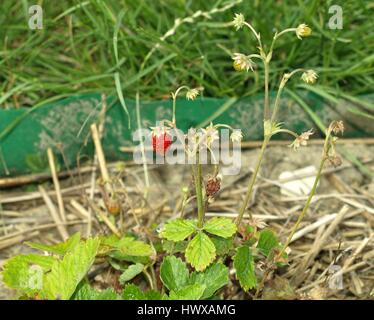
245	268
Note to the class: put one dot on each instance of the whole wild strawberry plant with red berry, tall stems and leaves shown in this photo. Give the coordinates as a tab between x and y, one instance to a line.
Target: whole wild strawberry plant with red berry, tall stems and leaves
192	258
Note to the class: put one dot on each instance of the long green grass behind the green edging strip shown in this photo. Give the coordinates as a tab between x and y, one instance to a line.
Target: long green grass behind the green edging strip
75	52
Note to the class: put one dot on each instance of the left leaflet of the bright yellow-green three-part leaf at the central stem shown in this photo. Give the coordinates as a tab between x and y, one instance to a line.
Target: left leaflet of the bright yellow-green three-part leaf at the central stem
178	230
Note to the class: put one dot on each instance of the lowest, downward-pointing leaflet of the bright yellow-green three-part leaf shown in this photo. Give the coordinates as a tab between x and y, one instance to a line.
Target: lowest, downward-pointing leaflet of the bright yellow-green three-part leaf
200	251
